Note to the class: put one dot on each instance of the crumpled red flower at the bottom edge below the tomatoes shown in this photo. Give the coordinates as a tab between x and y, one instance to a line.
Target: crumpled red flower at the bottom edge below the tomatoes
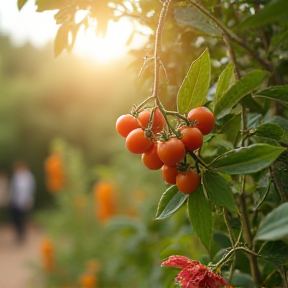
194	274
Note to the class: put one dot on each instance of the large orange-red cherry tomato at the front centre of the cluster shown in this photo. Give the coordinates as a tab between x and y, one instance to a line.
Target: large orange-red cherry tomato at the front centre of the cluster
171	152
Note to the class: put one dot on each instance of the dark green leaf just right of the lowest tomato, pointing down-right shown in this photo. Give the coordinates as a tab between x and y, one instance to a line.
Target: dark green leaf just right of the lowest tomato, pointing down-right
218	190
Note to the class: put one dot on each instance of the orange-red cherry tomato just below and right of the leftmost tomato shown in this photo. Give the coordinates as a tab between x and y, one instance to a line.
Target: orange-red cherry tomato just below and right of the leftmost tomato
136	142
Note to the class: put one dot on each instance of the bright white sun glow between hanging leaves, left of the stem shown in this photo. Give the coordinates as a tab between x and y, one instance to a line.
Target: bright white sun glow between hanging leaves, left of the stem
107	48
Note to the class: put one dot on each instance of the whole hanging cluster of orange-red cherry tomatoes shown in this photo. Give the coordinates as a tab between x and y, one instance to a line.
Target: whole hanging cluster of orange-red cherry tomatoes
145	134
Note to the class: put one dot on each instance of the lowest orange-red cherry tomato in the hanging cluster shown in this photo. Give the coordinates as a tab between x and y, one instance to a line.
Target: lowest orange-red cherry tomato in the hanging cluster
187	182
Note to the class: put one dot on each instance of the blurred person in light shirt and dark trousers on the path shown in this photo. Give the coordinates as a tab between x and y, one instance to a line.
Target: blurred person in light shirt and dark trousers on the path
22	191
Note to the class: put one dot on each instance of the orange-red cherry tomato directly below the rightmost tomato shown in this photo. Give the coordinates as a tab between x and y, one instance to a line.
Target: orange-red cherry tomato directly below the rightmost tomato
192	138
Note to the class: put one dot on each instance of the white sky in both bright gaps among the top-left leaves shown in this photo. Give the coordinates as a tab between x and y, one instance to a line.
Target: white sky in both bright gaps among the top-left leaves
40	28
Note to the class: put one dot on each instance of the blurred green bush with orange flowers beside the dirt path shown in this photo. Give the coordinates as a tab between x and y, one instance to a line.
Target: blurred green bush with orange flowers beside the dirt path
109	222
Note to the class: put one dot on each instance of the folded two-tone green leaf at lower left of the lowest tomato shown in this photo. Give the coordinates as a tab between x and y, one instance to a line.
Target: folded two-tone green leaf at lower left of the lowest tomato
170	202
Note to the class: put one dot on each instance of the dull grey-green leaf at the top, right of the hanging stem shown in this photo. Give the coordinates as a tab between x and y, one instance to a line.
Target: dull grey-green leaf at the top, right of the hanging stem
193	17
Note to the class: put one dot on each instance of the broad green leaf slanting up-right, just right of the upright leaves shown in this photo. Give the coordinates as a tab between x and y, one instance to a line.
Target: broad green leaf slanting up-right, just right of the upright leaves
237	91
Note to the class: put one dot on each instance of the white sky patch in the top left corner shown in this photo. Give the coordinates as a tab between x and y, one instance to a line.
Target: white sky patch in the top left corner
26	25
